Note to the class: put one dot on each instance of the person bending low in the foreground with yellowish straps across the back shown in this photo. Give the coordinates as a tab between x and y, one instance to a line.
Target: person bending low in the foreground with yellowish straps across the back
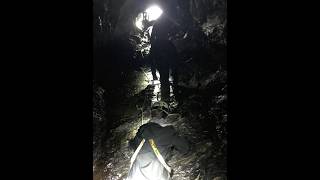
153	144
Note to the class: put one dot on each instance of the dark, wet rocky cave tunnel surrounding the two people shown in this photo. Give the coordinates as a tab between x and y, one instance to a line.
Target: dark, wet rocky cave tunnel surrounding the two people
125	92
